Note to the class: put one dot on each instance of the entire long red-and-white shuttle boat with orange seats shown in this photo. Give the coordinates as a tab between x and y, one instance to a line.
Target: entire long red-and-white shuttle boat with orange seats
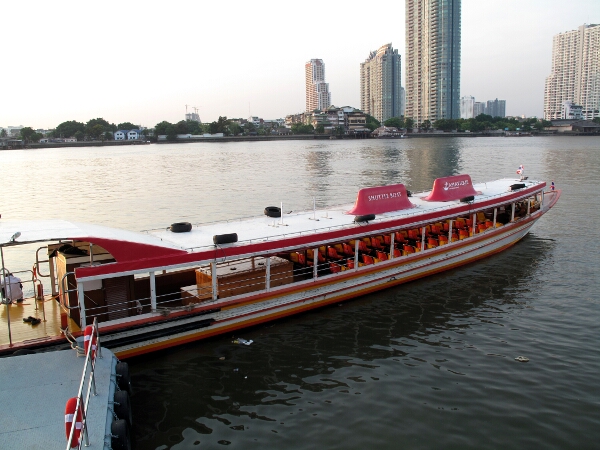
157	289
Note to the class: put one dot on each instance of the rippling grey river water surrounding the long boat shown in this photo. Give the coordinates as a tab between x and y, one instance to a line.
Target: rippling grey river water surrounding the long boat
430	364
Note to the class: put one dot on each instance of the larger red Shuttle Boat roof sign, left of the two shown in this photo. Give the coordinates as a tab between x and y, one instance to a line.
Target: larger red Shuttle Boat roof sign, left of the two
381	199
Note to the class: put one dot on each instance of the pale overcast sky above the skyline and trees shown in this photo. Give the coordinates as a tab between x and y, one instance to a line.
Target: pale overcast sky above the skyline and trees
142	62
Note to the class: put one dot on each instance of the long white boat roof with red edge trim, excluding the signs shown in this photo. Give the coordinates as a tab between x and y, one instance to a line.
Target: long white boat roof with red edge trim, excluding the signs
255	234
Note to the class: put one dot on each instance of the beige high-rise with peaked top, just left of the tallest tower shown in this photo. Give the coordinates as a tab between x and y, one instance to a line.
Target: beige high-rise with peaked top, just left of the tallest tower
380	84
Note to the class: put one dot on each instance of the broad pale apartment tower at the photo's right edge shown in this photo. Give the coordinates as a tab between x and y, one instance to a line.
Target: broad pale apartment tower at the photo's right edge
575	74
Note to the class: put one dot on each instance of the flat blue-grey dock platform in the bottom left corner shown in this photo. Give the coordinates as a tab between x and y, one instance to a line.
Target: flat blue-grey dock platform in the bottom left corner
34	389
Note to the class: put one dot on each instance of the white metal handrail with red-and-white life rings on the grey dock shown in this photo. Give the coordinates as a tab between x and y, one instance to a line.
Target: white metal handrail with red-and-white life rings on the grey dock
79	417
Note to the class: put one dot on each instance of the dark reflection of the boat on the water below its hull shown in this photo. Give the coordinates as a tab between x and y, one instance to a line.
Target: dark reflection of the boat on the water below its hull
298	366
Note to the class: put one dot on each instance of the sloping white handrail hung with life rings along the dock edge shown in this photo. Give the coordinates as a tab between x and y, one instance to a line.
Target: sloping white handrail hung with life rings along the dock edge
81	404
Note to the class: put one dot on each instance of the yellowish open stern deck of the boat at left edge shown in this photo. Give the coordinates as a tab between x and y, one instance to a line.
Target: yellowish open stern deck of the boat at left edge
23	331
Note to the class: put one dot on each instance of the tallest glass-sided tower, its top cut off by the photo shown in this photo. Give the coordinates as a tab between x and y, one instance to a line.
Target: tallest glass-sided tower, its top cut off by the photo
432	59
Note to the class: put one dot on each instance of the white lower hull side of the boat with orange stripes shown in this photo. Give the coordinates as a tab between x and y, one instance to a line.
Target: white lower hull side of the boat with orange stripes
328	290
